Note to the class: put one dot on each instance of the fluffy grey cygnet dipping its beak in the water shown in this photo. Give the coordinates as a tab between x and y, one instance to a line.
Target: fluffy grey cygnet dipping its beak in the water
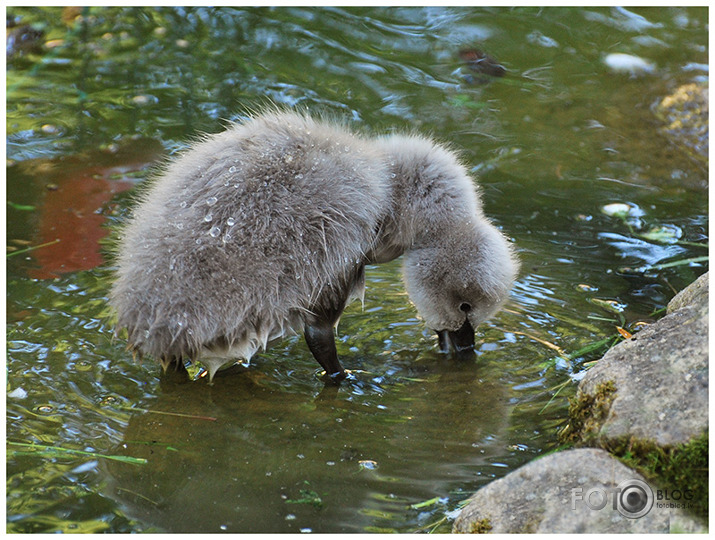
265	230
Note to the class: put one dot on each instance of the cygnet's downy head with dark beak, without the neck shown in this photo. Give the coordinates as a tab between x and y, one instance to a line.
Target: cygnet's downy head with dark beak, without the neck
461	281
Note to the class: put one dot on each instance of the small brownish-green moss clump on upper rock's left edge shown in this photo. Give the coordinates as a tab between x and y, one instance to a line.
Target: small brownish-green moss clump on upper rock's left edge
586	412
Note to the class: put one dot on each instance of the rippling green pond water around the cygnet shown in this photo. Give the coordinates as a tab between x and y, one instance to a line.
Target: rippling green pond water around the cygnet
96	96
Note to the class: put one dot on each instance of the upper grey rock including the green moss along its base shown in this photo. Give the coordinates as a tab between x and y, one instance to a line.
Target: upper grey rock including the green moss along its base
646	400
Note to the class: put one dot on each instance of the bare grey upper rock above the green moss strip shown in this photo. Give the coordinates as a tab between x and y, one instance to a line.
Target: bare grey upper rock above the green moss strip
654	386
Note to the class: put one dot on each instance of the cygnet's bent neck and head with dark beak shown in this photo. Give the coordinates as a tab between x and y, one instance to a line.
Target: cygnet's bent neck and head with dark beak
458	268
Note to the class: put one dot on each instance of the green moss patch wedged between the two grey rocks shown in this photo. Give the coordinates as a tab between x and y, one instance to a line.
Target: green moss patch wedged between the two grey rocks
677	468
